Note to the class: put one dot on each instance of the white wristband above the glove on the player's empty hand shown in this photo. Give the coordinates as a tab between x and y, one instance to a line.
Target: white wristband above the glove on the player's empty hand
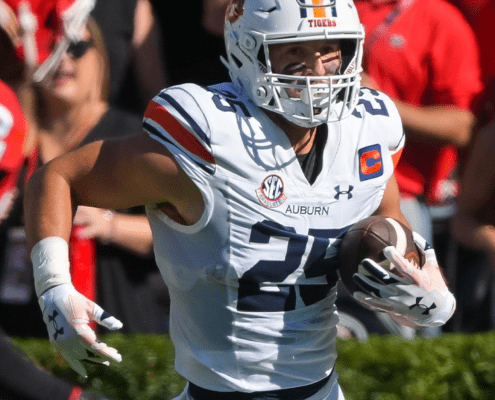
51	267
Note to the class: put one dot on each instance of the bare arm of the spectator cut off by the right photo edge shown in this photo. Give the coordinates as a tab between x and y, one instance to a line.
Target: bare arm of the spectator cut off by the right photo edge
477	188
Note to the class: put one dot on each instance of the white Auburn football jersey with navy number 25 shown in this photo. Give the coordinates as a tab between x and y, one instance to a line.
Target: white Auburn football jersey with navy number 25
253	282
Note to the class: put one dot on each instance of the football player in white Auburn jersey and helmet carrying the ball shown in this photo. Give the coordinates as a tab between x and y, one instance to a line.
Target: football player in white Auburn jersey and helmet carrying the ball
248	186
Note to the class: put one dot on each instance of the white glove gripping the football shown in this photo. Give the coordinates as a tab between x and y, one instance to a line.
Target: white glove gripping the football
413	296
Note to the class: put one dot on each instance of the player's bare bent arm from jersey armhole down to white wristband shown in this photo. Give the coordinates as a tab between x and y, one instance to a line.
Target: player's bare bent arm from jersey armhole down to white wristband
112	174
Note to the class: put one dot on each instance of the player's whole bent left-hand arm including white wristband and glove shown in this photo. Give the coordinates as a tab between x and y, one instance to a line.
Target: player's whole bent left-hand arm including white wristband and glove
110	174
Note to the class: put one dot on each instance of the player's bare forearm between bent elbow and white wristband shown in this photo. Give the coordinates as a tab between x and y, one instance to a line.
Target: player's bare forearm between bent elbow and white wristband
47	206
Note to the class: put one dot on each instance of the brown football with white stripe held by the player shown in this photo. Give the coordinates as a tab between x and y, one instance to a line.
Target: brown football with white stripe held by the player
367	239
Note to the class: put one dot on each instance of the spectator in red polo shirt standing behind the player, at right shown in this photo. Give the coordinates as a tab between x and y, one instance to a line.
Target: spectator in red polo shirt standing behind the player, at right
423	54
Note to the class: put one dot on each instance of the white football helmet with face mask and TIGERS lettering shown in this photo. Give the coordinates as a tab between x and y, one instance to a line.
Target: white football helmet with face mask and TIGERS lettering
252	26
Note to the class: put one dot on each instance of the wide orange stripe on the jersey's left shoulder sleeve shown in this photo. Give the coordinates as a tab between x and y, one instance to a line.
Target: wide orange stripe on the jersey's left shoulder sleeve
186	139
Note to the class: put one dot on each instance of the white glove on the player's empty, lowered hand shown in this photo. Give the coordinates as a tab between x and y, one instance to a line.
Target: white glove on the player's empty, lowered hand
67	313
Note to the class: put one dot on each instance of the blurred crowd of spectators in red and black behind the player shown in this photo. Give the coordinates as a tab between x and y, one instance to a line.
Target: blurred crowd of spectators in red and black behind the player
434	58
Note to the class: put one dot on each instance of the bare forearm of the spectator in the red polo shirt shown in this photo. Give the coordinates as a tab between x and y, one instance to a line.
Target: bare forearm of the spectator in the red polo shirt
445	123
